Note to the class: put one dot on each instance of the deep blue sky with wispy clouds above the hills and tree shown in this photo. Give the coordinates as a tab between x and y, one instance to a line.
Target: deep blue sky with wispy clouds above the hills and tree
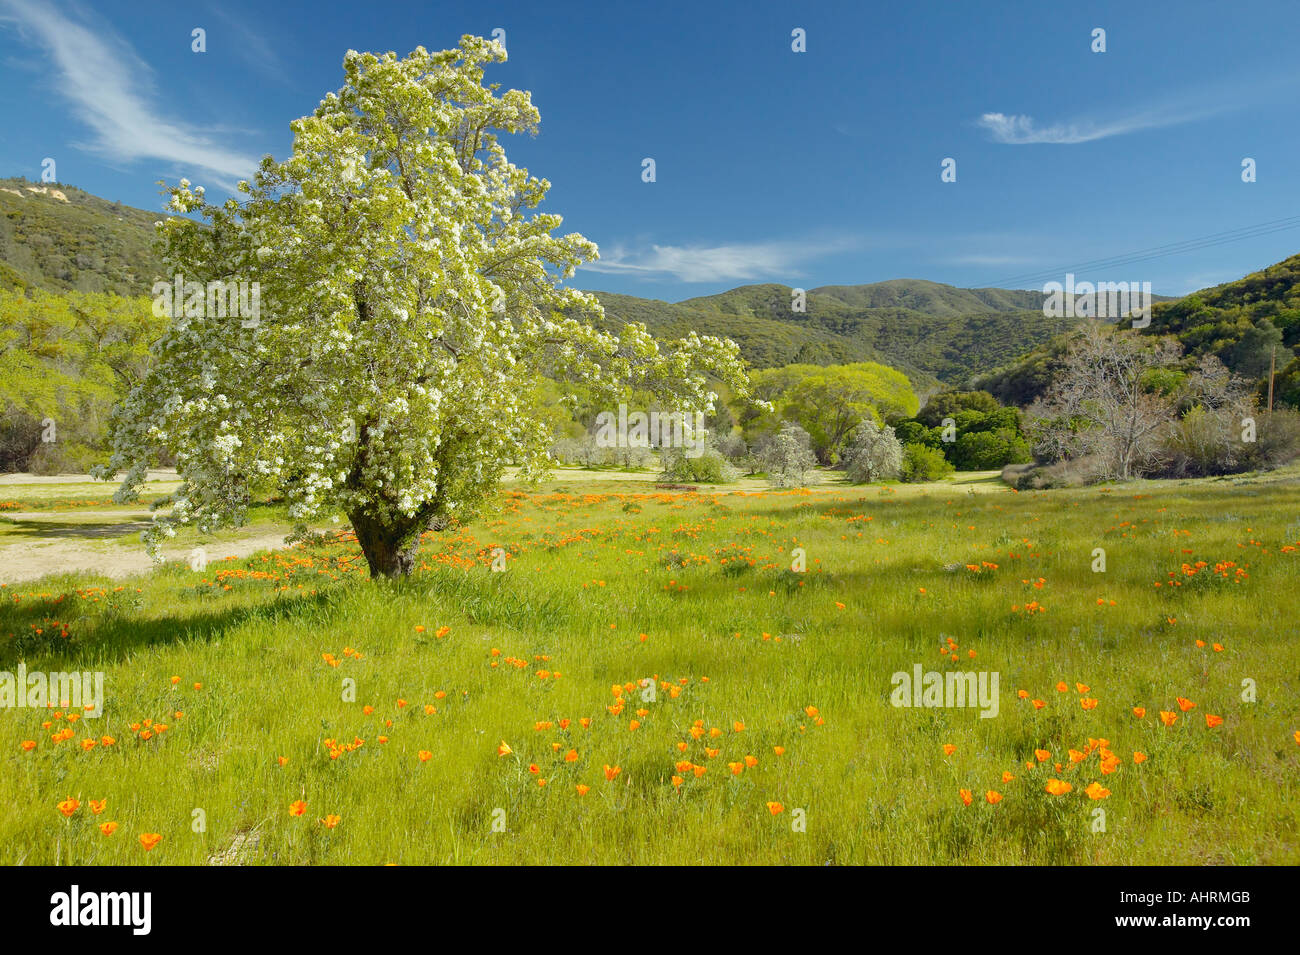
816	168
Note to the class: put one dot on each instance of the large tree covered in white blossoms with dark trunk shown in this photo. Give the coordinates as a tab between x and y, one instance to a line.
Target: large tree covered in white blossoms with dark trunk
410	306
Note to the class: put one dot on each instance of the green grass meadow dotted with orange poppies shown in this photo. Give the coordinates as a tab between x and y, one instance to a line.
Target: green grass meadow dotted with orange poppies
769	737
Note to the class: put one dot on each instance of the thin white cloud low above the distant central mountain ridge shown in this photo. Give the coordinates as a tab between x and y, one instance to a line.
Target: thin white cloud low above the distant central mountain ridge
738	262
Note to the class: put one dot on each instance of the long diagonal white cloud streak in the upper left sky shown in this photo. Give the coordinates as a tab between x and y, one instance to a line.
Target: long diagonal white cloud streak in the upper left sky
110	89
